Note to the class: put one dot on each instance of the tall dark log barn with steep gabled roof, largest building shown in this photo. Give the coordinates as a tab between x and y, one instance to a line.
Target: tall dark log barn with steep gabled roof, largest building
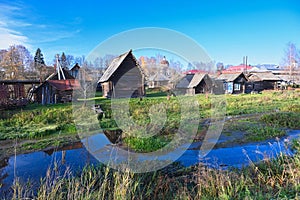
123	78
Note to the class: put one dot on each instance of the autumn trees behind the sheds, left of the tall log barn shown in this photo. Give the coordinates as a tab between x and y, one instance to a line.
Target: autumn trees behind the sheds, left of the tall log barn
16	62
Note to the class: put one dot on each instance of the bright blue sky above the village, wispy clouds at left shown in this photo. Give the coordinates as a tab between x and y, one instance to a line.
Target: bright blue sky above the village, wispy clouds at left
227	30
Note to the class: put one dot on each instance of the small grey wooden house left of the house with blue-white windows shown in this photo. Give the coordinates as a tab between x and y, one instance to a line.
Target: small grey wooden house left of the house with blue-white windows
192	84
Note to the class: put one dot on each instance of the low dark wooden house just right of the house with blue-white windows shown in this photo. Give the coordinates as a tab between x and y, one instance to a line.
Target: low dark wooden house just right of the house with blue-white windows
263	81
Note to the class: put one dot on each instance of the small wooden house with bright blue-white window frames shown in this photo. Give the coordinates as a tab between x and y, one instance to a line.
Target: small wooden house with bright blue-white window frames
234	83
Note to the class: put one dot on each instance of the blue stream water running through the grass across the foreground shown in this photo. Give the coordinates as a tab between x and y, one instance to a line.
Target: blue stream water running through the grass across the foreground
32	167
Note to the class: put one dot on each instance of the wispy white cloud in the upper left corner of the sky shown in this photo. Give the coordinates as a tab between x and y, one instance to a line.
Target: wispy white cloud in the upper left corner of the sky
18	26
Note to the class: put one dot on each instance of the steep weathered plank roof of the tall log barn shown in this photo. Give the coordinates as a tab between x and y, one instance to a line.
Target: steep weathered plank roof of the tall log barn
114	65
